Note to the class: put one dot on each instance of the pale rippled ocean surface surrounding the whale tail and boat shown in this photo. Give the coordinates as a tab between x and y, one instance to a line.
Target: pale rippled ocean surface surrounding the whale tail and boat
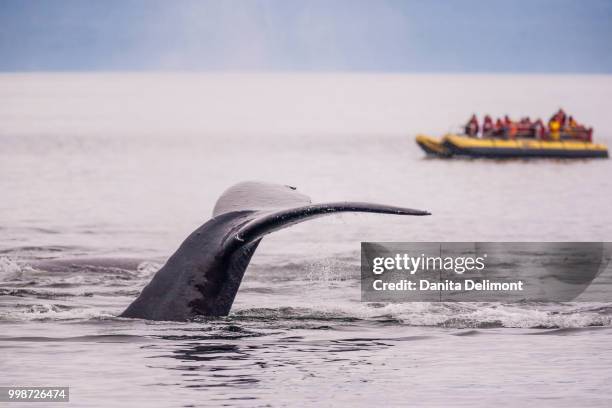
103	175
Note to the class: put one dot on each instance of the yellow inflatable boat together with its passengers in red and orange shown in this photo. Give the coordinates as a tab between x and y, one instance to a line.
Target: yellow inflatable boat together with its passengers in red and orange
563	138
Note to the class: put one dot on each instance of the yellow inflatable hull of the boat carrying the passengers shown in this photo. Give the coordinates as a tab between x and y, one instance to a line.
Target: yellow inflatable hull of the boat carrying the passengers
452	145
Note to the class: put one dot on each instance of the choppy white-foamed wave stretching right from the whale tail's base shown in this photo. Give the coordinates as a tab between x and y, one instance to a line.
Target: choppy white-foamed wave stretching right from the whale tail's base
445	315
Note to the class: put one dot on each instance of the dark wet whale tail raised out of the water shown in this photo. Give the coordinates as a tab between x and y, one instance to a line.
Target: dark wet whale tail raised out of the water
203	276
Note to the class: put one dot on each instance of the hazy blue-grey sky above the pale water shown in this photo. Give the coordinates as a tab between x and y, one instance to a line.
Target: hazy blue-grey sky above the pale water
568	36
